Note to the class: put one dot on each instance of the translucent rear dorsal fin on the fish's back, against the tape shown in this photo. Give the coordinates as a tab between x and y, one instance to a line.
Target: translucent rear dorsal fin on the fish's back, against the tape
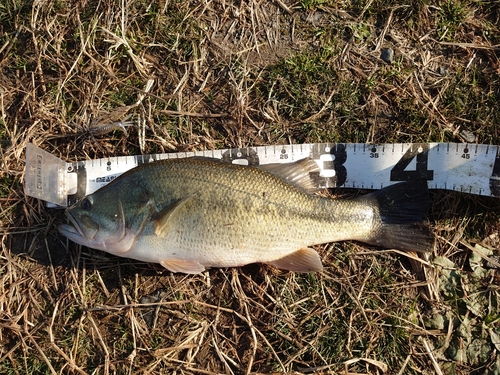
296	173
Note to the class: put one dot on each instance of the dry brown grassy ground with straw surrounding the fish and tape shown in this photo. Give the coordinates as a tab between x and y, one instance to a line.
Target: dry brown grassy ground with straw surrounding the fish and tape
232	74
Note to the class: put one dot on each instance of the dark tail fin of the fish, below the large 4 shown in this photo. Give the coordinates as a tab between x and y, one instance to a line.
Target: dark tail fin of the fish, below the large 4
402	208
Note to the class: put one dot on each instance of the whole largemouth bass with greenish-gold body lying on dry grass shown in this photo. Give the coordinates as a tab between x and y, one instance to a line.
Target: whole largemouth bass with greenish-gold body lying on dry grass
196	213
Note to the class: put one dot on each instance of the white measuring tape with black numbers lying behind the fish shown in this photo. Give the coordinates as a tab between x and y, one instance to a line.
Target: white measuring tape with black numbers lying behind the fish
469	168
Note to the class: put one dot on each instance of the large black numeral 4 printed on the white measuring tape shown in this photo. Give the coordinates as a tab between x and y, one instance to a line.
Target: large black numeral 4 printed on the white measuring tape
420	152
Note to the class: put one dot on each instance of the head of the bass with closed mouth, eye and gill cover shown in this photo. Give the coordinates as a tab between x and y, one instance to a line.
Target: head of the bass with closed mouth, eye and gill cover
110	219
